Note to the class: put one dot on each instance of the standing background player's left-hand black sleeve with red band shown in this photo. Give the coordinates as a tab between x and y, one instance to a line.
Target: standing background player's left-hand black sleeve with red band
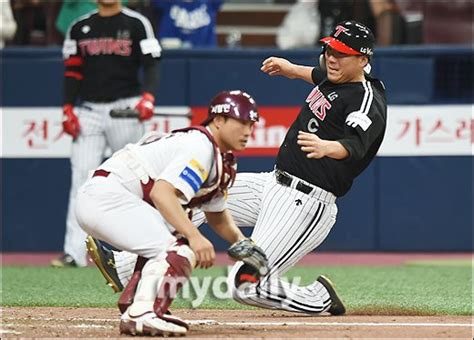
73	63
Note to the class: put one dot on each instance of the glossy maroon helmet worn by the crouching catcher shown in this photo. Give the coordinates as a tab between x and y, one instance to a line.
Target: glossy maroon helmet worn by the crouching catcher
235	104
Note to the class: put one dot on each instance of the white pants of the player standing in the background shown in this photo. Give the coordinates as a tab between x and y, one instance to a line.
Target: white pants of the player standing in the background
98	131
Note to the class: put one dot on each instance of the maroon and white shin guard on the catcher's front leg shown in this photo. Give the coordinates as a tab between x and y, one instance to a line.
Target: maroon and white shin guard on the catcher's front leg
180	261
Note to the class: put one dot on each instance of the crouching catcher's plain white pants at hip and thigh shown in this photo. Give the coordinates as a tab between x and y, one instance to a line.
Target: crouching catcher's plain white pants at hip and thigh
107	210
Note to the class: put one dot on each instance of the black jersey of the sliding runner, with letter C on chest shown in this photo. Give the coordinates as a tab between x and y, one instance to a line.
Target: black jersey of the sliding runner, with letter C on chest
354	114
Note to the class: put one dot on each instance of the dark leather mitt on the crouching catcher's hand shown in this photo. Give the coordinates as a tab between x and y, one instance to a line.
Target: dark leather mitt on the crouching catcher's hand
247	251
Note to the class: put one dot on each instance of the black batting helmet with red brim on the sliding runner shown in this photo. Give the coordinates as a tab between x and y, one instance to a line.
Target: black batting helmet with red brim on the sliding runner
351	37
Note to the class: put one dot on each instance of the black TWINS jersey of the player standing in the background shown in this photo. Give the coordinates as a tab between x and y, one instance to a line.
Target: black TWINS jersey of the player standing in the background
105	54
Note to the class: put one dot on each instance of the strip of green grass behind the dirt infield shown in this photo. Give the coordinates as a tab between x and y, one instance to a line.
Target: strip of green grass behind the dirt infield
410	289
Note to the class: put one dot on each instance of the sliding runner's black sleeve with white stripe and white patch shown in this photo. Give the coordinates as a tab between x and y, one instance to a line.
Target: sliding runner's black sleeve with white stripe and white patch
364	124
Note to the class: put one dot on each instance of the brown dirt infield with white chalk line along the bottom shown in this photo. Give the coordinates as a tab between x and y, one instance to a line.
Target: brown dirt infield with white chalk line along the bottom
103	323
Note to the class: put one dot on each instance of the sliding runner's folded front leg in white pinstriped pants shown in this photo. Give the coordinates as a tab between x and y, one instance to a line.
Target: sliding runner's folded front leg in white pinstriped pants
289	226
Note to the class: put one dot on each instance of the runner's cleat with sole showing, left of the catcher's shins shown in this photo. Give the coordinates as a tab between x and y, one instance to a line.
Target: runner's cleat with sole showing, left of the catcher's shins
104	260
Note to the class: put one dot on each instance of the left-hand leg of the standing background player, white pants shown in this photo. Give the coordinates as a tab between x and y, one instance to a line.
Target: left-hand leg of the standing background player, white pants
86	154
